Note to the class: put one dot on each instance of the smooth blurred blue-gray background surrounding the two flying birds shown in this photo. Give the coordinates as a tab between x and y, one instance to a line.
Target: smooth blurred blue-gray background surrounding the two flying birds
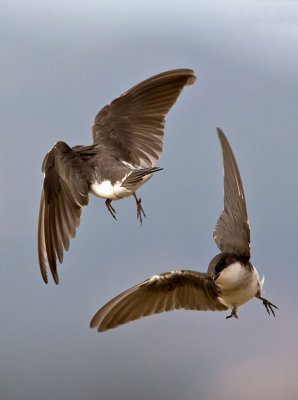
61	61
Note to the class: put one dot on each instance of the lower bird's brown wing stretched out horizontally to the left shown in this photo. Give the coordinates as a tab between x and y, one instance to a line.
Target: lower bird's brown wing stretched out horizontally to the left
173	290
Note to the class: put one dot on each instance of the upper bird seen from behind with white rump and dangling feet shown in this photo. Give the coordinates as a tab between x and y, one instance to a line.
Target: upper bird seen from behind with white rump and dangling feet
128	136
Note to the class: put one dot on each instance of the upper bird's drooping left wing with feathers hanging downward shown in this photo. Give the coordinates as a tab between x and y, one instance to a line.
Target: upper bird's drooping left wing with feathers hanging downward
65	191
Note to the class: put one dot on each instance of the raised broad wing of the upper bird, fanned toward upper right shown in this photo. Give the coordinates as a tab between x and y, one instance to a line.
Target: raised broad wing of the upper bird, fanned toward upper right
133	124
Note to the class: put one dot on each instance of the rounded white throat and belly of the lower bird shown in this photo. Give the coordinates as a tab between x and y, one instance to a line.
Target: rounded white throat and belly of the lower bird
238	284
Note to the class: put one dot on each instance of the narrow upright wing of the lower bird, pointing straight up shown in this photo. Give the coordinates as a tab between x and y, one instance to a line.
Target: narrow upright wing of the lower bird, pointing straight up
231	233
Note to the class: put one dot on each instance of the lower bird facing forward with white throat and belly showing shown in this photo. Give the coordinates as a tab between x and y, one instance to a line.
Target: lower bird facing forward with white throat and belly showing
231	279
